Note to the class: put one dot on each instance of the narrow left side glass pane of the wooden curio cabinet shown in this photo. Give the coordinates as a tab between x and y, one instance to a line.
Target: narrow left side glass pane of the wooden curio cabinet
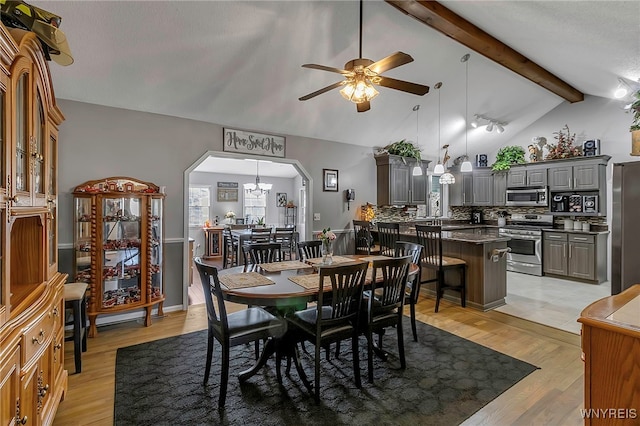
82	239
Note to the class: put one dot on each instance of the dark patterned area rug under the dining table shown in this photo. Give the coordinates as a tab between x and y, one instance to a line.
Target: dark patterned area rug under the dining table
447	379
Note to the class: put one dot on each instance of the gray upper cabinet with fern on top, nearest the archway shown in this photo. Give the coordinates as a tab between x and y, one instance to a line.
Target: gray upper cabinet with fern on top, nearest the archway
396	183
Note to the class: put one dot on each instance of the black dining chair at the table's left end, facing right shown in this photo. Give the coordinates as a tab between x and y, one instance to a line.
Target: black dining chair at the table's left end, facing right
237	328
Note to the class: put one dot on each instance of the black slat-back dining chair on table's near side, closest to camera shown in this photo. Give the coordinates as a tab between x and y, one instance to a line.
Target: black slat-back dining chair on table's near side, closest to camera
334	318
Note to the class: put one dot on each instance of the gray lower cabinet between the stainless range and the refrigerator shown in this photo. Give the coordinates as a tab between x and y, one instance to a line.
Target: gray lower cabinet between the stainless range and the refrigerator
580	256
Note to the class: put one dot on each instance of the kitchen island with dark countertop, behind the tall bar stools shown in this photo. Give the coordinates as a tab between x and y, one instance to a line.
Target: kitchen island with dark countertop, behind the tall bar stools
486	277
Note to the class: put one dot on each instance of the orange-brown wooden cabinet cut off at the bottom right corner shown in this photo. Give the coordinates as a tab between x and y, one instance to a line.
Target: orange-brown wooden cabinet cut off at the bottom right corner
611	355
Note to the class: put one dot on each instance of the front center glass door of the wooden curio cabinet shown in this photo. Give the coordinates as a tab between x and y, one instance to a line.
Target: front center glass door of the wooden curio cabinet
121	278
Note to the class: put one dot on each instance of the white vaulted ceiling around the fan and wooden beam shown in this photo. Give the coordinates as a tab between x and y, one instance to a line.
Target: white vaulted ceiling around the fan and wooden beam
238	63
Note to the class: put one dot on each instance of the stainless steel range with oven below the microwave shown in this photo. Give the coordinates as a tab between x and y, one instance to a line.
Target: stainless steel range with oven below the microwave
525	231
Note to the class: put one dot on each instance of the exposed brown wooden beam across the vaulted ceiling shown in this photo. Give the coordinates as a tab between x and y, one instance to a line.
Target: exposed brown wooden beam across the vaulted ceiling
438	17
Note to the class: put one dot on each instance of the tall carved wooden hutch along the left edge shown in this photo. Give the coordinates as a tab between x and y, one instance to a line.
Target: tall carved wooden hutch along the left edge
32	376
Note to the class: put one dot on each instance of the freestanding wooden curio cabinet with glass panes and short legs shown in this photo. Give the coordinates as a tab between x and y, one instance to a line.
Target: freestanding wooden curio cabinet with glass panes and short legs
118	246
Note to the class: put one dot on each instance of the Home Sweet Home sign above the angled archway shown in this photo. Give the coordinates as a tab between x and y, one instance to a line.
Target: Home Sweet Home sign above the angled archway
253	143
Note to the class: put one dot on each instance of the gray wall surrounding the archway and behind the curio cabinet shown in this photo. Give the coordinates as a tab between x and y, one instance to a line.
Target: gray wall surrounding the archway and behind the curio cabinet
98	142
